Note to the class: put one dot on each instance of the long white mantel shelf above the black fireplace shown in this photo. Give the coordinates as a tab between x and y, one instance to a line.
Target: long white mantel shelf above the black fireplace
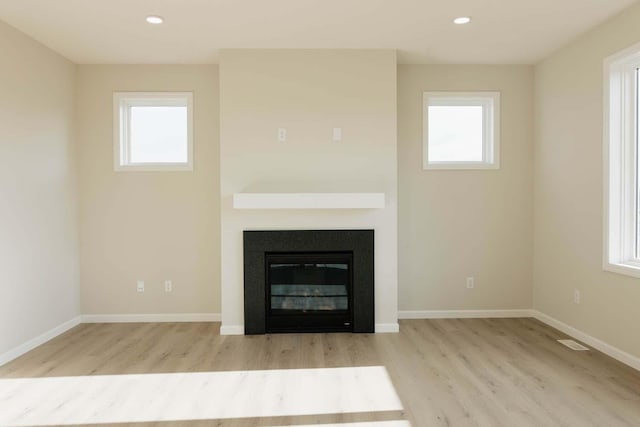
308	200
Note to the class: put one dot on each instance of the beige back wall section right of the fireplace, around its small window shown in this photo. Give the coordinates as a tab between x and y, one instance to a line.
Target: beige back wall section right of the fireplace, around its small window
454	224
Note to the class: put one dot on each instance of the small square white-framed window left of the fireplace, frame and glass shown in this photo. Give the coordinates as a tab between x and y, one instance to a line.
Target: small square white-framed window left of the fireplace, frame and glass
153	131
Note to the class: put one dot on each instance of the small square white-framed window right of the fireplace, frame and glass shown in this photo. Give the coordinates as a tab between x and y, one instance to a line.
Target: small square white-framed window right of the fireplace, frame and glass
461	130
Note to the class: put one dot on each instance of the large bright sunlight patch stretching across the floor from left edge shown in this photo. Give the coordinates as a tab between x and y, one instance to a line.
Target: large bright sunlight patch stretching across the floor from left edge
195	396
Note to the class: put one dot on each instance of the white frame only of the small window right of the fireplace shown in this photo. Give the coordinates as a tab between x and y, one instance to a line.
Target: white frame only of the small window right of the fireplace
490	103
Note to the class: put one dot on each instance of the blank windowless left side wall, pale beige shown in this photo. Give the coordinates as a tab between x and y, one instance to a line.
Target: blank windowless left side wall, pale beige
39	289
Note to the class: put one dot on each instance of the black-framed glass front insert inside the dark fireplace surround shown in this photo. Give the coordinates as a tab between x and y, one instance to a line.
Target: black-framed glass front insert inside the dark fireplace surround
309	292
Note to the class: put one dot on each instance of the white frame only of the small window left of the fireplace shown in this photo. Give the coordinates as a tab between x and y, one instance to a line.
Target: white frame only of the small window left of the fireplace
122	102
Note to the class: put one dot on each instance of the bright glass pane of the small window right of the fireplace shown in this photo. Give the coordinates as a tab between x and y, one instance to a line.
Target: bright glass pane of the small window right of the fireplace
455	133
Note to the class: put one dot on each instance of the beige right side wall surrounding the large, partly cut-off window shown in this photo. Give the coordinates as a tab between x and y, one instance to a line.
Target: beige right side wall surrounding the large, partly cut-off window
569	190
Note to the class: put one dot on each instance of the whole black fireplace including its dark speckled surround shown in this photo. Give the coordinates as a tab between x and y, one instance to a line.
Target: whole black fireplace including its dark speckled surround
308	281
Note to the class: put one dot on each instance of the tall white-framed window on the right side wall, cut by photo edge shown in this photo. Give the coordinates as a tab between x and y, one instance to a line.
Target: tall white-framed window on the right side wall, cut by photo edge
621	163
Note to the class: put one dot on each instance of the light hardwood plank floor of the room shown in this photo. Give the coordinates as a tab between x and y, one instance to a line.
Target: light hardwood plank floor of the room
455	372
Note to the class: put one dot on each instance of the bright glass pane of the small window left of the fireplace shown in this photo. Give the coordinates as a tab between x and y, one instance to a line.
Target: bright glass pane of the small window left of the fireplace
158	134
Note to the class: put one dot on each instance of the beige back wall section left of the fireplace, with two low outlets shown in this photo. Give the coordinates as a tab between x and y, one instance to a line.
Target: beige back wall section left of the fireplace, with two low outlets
151	226
